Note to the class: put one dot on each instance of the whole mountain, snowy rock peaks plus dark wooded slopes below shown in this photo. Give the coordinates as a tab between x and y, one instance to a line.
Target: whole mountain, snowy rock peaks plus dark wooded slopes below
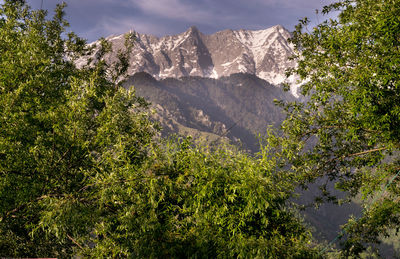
210	86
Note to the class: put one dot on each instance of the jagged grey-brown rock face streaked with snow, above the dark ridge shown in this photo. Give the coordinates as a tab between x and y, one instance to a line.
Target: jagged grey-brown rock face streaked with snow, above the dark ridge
263	53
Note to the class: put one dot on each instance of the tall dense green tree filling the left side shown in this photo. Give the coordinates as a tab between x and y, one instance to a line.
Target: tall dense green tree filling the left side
60	128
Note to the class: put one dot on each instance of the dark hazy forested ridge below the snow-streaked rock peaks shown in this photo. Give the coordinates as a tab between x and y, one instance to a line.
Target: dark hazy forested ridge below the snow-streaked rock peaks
235	107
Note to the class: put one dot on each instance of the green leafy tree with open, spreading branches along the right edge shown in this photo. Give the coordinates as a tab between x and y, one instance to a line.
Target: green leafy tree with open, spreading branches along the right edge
348	129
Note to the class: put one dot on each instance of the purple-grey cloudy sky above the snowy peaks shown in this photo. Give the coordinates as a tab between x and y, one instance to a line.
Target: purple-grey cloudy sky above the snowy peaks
92	19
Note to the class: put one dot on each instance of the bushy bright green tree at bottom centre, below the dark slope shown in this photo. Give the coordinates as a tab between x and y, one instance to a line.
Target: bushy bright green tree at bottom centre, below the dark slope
199	202
